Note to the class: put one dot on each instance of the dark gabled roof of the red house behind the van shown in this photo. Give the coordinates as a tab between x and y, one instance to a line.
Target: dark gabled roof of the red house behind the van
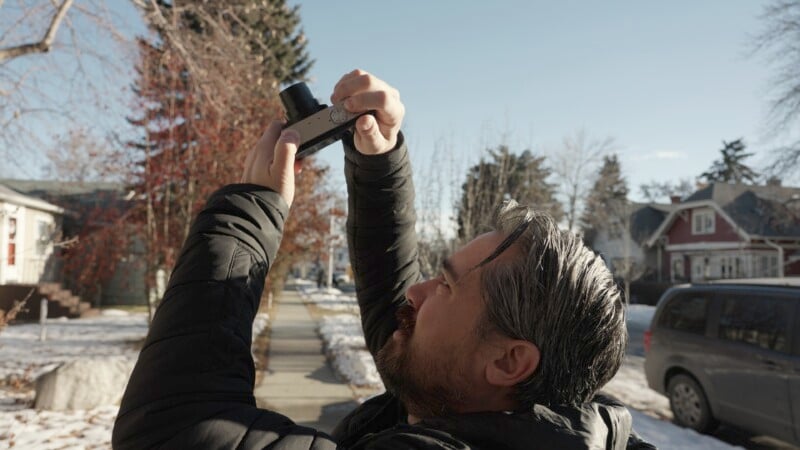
755	211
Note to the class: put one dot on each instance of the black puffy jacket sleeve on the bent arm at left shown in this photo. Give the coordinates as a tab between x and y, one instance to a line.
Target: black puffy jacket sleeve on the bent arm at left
192	386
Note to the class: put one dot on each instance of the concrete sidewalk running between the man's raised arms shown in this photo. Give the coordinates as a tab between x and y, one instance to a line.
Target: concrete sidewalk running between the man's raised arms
299	383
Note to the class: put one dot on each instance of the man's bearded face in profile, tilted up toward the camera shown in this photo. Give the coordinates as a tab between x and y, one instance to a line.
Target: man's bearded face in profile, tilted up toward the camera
434	361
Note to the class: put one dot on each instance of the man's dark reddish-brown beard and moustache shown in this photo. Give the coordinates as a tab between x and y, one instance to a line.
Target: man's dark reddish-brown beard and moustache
427	386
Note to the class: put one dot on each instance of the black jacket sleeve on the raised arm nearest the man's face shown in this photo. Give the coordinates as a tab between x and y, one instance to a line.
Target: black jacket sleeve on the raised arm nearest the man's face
381	236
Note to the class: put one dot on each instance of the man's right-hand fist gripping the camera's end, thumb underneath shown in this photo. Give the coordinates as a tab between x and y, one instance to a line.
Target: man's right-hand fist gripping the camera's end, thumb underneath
361	92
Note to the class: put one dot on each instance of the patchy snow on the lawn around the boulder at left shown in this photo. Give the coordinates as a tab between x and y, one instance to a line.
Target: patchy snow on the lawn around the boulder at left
23	357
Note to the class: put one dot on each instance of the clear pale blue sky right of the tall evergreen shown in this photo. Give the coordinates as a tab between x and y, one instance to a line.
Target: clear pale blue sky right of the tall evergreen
668	80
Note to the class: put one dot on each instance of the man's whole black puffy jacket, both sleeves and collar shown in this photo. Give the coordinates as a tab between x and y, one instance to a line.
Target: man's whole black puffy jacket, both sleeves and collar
192	386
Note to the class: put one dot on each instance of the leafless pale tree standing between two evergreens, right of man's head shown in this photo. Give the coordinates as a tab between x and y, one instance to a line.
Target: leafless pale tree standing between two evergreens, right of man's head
572	163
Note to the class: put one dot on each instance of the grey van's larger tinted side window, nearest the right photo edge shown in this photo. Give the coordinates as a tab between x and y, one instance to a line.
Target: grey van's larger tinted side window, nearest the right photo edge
757	320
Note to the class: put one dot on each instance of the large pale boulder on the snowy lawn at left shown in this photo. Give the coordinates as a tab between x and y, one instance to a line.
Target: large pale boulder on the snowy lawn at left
83	384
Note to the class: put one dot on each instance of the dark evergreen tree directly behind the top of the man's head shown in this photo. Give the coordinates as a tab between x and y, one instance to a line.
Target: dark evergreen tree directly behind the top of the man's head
502	176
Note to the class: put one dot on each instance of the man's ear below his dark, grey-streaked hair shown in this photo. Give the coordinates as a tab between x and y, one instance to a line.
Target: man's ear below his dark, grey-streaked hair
515	364
